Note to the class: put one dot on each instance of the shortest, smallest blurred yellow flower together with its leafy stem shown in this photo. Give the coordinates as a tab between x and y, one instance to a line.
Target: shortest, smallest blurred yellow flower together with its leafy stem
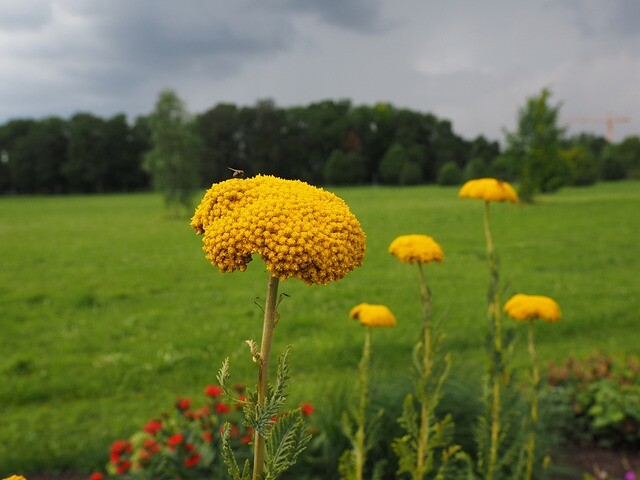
353	461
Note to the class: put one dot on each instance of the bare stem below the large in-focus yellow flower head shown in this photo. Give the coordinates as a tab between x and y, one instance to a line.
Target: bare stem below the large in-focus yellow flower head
268	327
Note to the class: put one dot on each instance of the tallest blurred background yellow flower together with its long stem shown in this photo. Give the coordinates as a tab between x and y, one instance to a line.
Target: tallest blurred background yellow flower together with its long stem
493	190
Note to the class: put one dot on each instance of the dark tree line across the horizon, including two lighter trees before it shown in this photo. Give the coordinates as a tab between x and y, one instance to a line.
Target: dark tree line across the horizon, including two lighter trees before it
324	143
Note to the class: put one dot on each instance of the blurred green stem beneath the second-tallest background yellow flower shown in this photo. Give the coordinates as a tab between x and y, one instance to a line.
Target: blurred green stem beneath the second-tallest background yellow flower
423	439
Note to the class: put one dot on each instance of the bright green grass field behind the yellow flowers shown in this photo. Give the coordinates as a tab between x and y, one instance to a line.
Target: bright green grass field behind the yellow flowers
109	310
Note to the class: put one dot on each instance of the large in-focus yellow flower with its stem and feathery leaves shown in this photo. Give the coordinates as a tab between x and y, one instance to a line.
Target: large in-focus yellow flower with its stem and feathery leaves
299	231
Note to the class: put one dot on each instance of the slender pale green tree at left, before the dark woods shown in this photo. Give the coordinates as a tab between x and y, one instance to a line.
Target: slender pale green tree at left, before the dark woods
173	160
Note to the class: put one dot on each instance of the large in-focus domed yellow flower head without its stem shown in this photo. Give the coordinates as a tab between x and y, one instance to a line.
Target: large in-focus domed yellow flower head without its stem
299	230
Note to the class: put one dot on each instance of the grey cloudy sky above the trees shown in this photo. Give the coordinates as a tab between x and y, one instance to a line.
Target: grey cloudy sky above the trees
472	62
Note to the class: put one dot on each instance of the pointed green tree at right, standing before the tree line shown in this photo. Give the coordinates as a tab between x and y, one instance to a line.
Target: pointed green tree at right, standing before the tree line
534	148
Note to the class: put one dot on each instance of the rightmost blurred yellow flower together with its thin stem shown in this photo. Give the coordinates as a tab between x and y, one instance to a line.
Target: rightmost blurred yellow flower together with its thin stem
528	308
